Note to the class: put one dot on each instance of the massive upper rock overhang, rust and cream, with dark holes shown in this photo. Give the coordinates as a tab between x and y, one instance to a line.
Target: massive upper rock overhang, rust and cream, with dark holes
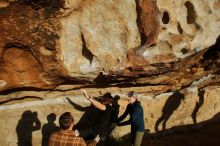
83	41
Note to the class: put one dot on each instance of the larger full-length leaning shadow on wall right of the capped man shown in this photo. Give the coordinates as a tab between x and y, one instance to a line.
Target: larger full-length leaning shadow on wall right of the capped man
172	103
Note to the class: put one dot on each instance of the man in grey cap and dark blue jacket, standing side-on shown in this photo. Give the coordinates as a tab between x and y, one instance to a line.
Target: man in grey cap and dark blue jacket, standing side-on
135	110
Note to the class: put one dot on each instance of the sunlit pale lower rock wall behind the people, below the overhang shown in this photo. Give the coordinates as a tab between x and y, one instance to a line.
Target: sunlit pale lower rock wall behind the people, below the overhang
166	112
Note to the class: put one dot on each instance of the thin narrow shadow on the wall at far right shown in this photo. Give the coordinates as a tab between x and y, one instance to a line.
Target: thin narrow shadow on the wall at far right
198	105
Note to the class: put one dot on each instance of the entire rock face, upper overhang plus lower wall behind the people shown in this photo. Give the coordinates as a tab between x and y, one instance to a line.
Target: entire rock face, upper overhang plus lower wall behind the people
51	48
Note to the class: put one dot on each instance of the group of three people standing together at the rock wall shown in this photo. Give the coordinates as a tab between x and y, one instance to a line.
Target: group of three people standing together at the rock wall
68	135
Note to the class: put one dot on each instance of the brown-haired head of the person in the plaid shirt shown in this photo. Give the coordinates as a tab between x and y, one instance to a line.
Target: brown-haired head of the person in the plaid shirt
66	121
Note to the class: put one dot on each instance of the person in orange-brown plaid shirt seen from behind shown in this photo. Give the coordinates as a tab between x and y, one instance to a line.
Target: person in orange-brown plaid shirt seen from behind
66	136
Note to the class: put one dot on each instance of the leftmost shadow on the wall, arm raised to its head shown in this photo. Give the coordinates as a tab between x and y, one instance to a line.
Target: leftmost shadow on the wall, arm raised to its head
28	123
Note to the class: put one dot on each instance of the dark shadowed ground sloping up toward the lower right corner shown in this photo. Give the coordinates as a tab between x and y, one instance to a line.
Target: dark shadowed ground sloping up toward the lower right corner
207	136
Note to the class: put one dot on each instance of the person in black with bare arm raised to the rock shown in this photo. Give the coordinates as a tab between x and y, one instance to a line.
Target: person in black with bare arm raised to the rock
103	122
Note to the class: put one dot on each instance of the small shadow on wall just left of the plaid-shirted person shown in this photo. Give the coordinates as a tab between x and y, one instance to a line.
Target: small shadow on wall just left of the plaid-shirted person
48	129
